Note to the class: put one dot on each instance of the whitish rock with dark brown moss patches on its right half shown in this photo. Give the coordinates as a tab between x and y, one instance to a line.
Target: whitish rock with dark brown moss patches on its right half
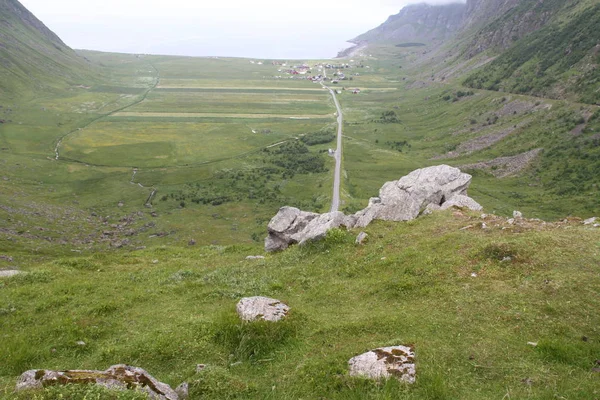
385	362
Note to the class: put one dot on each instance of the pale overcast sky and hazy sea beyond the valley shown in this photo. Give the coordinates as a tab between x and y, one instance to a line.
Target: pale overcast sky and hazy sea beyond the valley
237	28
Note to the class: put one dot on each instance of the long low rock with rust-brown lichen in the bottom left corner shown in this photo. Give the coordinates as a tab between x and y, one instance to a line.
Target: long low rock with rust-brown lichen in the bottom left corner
117	377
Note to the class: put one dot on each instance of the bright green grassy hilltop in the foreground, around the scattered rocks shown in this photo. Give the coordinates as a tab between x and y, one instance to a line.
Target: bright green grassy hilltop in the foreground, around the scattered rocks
429	283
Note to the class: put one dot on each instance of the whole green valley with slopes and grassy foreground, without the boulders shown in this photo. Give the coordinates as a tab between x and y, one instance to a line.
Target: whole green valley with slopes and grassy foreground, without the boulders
136	189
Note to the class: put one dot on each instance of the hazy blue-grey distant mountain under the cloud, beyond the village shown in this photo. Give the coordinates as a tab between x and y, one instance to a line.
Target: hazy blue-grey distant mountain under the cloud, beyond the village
418	23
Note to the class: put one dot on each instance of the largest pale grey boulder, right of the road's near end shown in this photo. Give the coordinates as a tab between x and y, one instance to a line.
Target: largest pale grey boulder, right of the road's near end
405	199
